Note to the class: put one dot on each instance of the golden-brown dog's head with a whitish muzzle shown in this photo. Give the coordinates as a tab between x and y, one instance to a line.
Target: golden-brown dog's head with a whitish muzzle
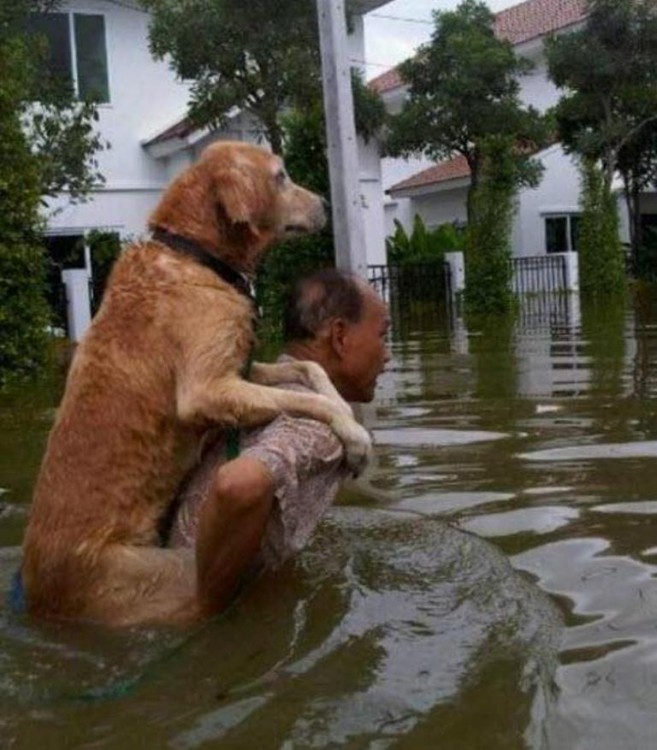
235	201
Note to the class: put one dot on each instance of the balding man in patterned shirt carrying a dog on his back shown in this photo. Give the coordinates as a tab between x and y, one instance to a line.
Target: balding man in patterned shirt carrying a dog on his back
260	508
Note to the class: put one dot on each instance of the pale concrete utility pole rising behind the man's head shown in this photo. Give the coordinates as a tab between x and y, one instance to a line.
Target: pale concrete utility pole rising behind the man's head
348	227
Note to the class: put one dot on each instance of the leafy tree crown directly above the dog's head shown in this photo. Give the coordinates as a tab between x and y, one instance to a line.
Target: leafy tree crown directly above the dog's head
261	56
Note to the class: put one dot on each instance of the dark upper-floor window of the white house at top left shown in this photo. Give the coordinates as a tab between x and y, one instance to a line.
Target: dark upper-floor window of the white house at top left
77	51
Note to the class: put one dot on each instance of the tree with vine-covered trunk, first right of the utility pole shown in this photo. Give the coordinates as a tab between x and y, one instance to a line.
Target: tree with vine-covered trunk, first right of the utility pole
464	100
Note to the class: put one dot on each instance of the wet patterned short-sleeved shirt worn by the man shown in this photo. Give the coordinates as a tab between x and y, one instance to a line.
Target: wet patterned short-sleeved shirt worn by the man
305	459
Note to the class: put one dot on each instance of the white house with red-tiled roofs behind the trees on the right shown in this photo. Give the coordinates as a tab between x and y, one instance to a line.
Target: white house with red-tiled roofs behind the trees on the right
547	216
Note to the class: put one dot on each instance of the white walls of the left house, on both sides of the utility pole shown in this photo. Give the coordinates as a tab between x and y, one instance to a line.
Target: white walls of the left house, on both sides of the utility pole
145	99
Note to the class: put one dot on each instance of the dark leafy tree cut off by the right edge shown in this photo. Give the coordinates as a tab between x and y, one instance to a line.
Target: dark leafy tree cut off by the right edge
608	112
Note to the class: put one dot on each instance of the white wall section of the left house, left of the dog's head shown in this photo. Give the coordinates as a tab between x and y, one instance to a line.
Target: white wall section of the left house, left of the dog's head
145	97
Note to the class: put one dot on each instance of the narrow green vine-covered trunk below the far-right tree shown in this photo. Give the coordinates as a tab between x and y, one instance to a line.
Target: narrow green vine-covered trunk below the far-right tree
600	252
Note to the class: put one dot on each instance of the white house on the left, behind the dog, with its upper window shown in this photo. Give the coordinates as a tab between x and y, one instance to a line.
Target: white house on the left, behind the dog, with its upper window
104	44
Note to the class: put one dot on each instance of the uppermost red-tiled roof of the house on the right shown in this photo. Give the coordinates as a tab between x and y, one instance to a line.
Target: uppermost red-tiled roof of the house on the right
521	23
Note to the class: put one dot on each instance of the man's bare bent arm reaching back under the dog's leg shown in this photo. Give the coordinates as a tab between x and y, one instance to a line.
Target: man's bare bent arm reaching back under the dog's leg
231	525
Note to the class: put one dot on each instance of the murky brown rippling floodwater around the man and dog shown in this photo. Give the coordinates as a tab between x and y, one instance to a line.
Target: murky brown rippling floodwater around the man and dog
489	584
